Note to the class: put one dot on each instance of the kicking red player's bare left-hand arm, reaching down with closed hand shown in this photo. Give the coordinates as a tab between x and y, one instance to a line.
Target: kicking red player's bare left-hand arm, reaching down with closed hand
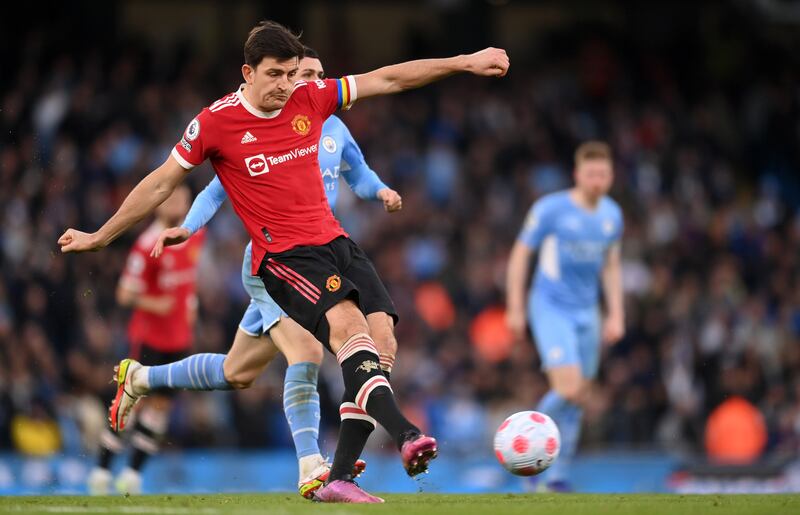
140	202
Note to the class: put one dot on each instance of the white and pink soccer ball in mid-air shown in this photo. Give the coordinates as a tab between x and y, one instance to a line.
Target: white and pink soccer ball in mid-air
526	443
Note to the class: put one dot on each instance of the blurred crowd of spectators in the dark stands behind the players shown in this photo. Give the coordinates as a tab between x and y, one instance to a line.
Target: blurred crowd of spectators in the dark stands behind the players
708	174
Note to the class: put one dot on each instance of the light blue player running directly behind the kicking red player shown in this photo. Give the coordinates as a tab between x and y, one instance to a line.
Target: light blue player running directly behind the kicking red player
265	329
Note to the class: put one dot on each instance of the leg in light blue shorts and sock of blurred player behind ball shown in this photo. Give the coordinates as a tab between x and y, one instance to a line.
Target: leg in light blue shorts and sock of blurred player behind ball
556	334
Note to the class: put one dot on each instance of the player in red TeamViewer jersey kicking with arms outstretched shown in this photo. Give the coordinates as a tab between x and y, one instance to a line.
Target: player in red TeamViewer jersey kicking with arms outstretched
309	266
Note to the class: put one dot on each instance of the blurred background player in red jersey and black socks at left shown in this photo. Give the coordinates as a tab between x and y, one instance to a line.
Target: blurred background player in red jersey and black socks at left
162	296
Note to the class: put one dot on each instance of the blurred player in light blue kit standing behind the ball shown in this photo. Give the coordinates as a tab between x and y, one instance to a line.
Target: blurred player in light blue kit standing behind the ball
576	233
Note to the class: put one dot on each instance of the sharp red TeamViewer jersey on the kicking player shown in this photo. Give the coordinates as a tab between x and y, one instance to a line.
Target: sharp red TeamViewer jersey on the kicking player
267	163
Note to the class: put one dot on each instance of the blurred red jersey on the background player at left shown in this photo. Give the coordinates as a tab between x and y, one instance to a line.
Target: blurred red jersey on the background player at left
173	274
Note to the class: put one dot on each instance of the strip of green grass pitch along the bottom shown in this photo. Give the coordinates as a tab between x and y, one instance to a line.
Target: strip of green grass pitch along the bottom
497	504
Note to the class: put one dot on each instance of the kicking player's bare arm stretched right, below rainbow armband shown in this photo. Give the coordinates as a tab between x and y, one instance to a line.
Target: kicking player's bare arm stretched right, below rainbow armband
490	62
